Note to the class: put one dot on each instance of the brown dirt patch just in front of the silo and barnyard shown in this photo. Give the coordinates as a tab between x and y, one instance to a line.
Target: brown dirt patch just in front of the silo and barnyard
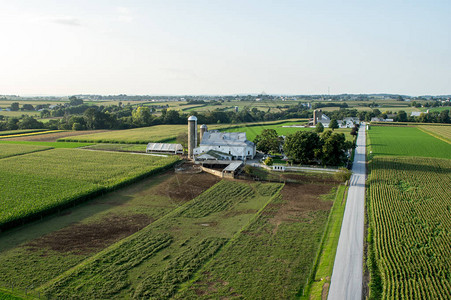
184	187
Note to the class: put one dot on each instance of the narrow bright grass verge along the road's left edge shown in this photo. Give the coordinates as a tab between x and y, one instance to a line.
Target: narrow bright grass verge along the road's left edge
320	285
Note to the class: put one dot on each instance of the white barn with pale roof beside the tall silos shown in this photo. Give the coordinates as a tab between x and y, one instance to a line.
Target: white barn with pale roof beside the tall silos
232	143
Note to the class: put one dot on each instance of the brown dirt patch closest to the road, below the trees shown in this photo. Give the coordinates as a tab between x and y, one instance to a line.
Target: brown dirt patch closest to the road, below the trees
299	201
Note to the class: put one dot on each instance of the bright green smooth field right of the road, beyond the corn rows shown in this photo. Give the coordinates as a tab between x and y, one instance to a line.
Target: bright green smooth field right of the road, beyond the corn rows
405	141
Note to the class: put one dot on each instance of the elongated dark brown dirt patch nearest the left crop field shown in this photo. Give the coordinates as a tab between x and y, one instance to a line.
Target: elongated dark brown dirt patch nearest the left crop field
87	238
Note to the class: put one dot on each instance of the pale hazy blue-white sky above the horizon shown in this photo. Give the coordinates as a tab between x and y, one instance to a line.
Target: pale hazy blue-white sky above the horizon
216	47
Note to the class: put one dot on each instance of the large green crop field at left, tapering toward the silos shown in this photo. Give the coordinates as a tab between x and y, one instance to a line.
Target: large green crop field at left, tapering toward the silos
44	180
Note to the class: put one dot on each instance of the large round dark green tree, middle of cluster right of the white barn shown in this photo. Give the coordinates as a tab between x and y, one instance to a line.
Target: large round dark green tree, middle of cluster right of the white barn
303	146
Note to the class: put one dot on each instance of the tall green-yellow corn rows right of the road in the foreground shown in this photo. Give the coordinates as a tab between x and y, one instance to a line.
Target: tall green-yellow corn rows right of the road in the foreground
410	205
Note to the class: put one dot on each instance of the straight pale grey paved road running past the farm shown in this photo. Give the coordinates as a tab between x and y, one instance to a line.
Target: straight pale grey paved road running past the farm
346	281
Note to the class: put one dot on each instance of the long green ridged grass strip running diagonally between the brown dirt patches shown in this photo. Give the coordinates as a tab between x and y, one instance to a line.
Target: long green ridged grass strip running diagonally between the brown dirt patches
155	261
